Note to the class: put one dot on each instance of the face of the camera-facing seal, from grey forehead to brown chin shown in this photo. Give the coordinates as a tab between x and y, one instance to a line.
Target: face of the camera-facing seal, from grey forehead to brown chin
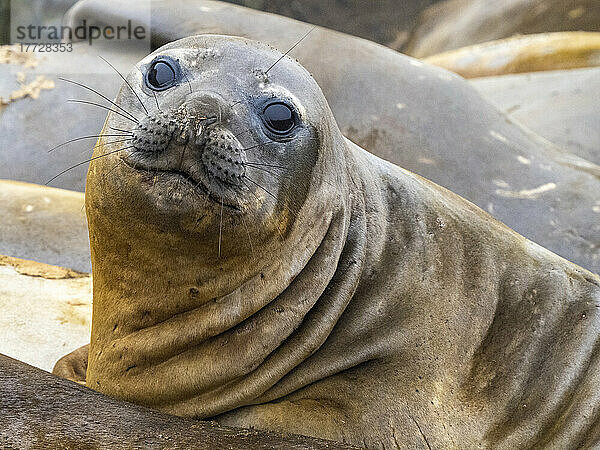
216	128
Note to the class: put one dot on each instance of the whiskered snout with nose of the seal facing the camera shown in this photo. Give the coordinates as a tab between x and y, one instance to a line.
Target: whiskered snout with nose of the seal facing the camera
192	141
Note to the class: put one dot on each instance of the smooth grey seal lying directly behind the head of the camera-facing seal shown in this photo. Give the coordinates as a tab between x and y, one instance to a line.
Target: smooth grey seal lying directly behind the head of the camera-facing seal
422	118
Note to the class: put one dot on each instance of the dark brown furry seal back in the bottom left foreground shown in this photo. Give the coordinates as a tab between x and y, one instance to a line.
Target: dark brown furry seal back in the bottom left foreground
39	410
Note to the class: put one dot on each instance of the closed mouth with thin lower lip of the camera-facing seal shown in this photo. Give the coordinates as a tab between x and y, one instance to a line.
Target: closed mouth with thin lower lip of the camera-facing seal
182	180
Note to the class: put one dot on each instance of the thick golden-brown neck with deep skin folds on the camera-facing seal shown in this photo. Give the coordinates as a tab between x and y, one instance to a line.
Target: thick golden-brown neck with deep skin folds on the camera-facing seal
191	349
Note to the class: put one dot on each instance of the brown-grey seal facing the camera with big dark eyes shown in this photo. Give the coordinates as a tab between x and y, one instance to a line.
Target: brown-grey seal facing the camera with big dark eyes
252	265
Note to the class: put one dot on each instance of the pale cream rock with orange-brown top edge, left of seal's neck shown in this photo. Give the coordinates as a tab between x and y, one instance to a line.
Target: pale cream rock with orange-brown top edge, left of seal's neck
46	311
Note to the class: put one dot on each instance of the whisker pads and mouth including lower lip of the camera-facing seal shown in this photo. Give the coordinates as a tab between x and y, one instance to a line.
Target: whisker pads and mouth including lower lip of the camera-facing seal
189	154
